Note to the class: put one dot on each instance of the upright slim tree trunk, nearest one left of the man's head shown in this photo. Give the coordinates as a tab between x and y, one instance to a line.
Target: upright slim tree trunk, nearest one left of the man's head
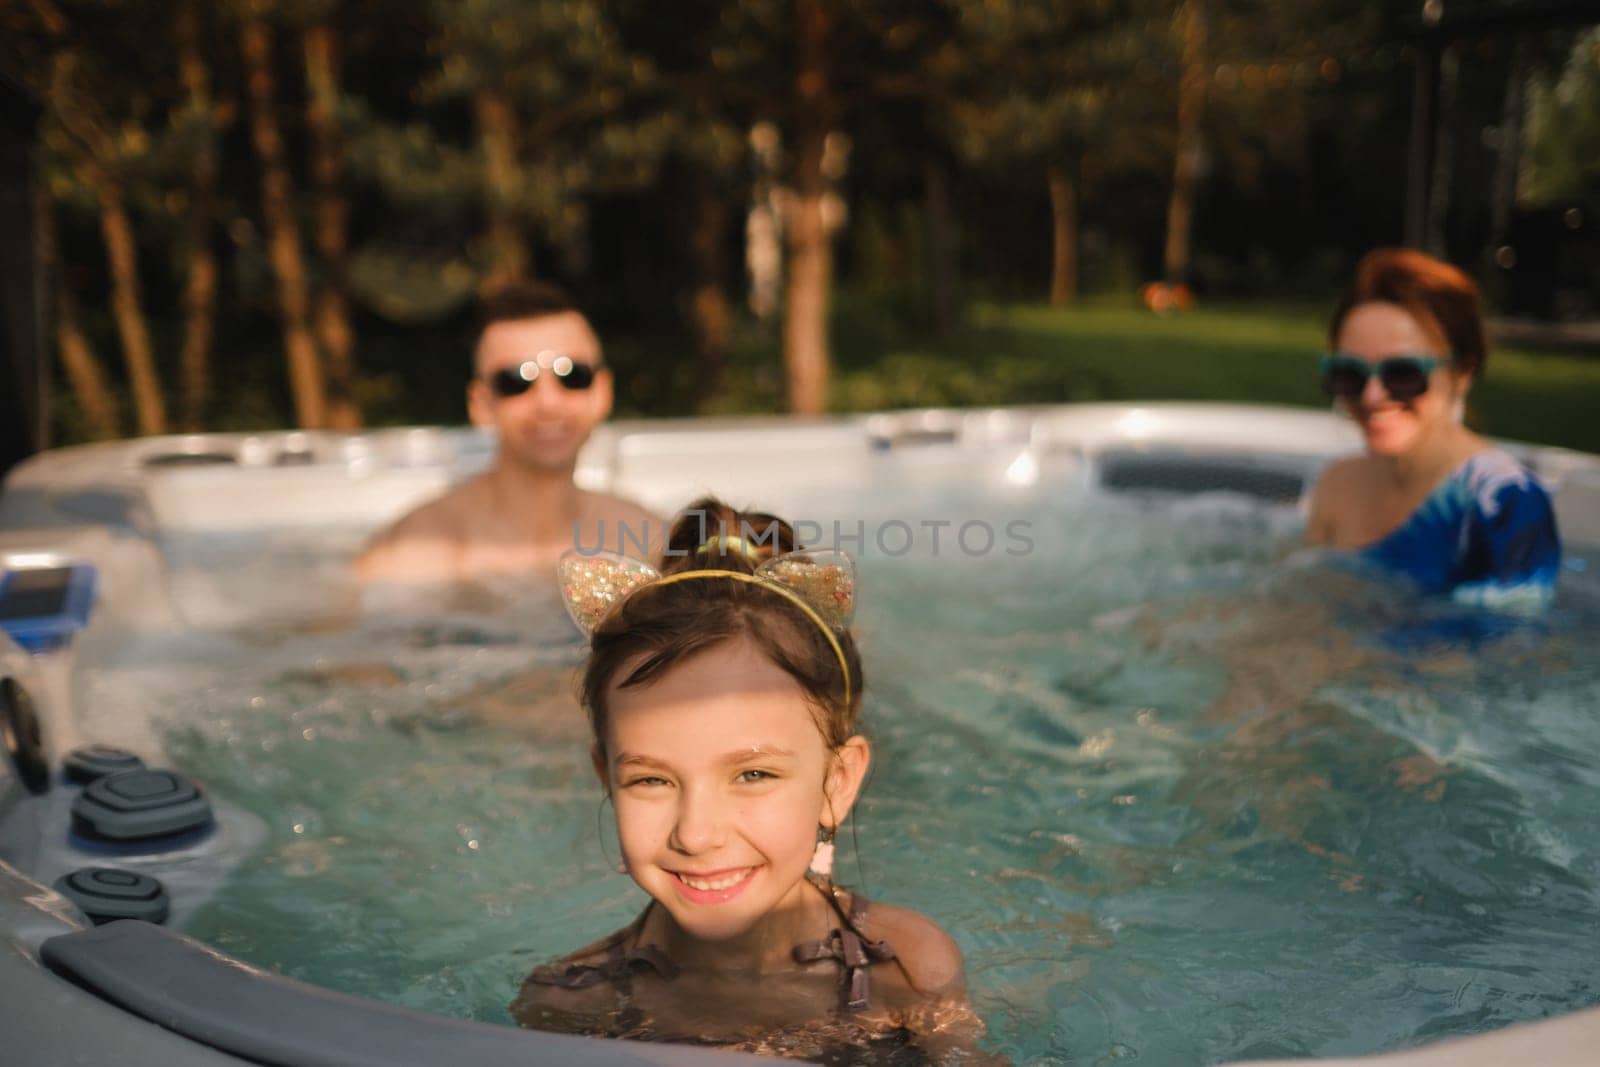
332	313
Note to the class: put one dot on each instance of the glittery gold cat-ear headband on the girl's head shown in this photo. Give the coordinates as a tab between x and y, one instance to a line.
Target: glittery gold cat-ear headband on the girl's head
822	585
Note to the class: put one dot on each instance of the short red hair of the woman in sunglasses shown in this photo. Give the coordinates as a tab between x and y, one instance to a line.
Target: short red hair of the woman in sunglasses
1439	297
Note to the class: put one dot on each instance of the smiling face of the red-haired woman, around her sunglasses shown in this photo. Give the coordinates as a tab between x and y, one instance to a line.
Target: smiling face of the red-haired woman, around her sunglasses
1375	332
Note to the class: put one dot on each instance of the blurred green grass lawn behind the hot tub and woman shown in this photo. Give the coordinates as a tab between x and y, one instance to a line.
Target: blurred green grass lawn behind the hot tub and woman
1118	351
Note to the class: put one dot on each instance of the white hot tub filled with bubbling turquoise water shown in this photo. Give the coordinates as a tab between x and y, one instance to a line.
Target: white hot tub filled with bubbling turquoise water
1116	674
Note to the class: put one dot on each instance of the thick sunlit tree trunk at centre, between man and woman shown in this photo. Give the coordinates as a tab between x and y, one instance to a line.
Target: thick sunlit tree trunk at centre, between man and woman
810	258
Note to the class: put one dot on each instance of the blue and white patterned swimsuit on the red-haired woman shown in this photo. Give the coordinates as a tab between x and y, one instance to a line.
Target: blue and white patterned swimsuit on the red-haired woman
1486	535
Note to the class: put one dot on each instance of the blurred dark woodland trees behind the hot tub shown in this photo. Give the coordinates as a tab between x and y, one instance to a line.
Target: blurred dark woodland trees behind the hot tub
279	212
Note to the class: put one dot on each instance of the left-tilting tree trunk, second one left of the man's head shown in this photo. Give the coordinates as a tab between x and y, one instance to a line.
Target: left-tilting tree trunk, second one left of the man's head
284	244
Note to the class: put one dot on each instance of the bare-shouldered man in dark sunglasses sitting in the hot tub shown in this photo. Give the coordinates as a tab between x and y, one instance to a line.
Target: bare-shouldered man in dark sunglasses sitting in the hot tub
542	385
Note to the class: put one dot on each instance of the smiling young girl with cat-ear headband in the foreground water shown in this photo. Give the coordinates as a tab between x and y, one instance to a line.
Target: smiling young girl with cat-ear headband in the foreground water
724	700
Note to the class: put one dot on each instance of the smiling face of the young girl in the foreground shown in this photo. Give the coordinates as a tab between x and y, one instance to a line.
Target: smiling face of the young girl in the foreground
721	780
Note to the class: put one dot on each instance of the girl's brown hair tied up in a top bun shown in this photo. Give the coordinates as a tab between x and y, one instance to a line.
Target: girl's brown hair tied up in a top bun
662	626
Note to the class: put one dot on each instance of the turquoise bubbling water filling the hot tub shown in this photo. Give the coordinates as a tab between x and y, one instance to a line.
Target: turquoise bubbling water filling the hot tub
1182	794
